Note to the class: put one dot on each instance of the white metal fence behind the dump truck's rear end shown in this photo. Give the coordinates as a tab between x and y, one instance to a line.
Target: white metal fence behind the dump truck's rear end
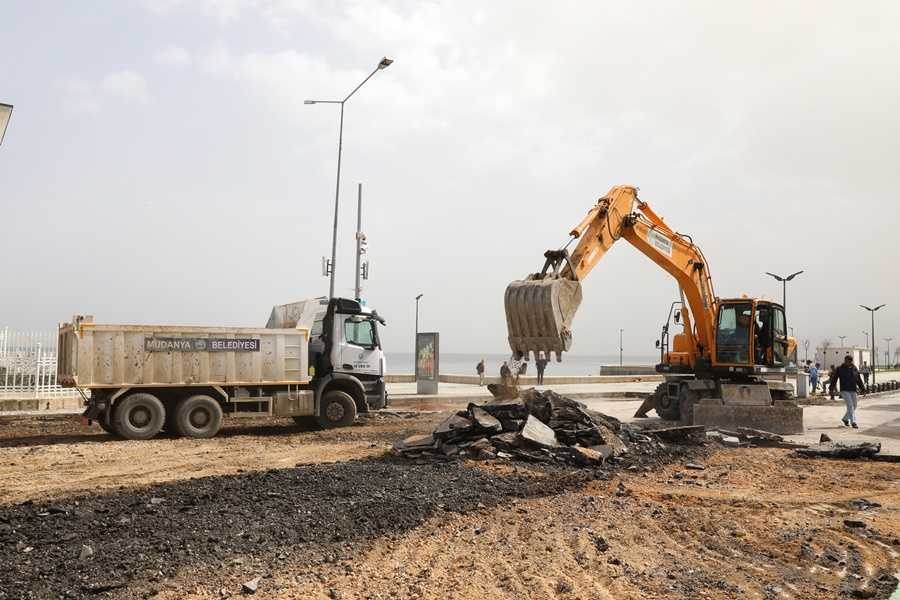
28	365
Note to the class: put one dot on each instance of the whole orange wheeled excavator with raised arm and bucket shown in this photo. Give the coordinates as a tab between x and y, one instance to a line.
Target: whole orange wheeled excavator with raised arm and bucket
722	367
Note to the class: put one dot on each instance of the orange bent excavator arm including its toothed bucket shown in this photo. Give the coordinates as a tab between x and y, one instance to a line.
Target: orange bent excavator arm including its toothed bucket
540	308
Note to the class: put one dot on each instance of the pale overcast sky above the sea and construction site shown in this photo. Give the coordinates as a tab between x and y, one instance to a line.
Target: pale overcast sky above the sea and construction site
160	166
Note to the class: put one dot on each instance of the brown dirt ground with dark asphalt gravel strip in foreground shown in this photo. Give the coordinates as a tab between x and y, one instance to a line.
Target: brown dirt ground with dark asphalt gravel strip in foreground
332	515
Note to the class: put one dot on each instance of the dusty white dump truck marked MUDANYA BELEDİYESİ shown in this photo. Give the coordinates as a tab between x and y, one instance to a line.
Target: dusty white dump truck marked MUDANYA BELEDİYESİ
318	359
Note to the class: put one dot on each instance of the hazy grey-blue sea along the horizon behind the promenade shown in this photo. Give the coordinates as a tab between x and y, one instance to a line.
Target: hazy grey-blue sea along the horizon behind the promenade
464	364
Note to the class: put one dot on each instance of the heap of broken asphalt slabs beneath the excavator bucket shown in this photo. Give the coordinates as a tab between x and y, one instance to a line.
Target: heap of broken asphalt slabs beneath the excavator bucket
539	426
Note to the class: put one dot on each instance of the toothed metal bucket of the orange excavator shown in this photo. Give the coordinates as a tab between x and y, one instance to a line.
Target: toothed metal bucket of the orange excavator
539	315
